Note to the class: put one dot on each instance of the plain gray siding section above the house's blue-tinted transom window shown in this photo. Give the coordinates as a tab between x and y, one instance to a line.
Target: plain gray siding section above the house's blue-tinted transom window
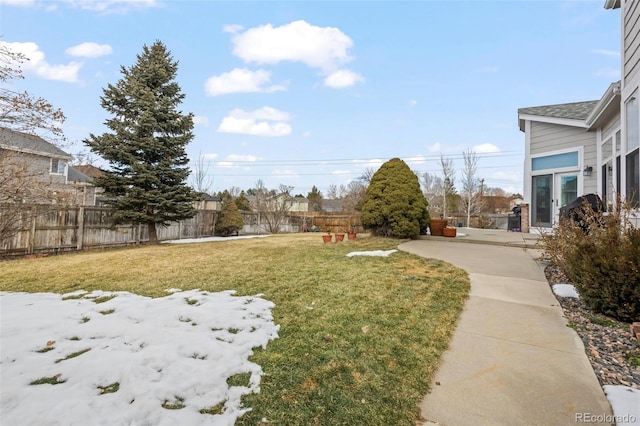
547	137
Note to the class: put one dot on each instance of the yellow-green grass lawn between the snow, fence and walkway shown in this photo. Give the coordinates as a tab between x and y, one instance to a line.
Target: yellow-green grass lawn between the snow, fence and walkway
360	337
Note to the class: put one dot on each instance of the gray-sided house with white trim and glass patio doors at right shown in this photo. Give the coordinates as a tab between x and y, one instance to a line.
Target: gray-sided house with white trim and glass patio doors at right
588	147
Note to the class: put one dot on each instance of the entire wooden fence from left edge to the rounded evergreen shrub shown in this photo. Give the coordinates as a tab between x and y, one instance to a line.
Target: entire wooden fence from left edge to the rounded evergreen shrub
47	230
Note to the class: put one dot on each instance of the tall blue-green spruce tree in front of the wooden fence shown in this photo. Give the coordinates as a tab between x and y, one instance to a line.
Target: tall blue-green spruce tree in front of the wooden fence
146	145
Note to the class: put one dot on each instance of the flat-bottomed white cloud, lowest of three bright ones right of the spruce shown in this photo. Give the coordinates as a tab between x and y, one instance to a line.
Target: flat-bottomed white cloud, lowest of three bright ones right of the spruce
272	124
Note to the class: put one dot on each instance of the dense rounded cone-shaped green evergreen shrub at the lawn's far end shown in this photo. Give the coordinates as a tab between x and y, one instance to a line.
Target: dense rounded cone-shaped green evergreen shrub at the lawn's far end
394	205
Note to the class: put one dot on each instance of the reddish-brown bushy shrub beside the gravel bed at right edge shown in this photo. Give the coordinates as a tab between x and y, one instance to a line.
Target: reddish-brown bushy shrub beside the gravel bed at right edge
600	254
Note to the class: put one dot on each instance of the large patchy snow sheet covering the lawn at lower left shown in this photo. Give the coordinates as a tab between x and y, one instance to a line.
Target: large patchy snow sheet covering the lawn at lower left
129	359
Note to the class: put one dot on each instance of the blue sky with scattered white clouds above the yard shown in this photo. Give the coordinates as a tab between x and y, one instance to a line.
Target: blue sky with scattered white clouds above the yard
313	93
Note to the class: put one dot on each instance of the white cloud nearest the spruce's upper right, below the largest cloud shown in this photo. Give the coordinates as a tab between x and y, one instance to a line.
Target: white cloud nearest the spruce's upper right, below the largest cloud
240	80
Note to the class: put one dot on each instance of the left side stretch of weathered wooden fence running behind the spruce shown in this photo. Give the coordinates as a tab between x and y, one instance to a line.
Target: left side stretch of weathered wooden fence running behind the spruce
42	229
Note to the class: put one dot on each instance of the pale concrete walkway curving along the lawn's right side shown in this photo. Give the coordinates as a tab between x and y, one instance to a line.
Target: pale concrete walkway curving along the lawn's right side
512	359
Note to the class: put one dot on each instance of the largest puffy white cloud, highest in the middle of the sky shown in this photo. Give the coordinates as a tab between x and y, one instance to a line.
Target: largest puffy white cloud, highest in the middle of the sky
318	47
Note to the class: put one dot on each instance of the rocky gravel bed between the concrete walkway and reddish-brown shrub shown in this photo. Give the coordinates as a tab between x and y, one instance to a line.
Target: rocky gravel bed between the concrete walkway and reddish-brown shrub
606	340
